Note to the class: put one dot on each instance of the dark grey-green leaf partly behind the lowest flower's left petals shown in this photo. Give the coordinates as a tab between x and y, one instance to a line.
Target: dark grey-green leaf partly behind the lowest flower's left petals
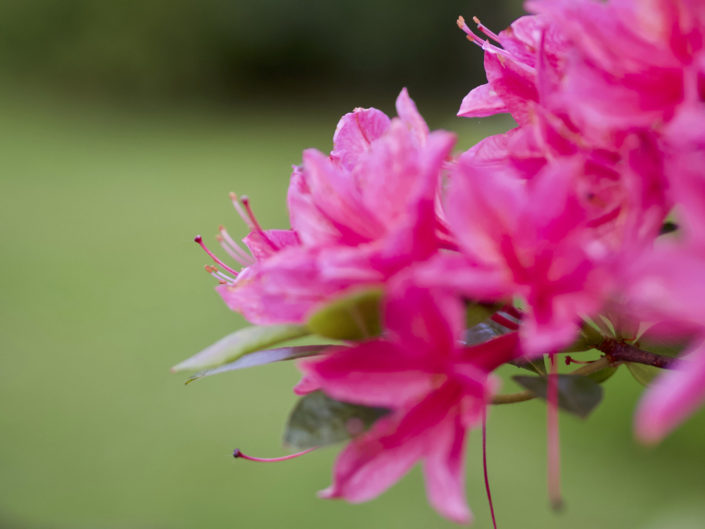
319	420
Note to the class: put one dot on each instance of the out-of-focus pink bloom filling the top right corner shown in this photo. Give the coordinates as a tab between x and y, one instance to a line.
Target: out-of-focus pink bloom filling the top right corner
632	62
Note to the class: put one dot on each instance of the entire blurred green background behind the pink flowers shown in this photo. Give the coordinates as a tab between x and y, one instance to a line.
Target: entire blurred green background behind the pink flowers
123	127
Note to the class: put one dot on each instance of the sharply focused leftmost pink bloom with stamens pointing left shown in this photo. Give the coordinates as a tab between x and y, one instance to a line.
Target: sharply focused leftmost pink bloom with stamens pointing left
359	216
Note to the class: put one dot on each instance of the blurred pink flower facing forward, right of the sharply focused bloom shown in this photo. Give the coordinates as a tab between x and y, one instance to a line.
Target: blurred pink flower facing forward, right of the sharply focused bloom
525	238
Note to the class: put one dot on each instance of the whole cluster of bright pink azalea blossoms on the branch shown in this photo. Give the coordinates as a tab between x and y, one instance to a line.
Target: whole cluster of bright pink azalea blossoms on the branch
554	231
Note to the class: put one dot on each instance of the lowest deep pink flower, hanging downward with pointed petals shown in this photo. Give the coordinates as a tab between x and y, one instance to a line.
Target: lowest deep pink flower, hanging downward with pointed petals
436	387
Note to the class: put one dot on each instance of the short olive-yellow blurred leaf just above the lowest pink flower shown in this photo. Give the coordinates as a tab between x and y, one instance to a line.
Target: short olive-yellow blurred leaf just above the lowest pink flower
355	316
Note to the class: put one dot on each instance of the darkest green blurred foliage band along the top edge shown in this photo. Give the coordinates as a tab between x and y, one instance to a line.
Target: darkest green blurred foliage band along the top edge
209	48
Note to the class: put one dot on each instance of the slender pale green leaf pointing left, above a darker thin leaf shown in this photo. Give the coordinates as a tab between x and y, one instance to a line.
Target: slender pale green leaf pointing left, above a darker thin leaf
240	343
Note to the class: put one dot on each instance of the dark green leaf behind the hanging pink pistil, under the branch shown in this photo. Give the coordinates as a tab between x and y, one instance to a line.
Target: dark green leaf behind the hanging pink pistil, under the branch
577	394
